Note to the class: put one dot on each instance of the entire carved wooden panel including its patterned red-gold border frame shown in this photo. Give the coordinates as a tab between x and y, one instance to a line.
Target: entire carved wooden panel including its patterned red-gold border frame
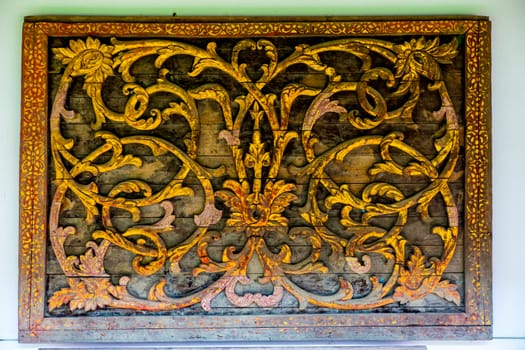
289	179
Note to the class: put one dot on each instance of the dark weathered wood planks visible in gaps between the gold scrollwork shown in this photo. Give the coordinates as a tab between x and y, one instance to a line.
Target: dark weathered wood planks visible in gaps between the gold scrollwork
214	152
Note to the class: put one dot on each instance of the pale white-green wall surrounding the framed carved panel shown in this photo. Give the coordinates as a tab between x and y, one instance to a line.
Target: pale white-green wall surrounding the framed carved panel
508	68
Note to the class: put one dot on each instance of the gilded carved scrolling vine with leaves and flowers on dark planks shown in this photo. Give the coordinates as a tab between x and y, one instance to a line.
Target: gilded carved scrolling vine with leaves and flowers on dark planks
257	198
